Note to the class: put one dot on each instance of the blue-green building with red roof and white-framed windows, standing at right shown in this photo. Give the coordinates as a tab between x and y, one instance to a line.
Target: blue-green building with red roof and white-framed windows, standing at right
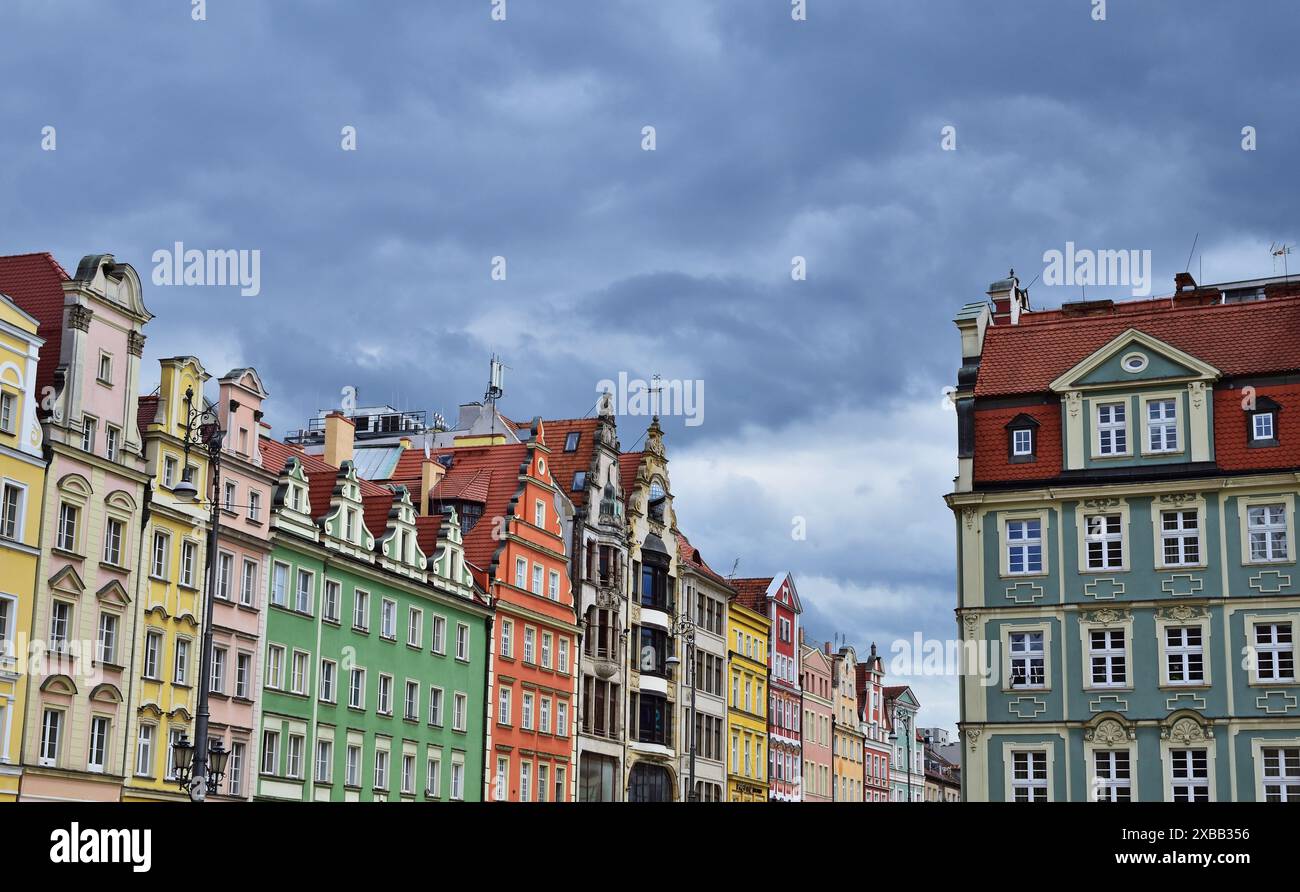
1129	592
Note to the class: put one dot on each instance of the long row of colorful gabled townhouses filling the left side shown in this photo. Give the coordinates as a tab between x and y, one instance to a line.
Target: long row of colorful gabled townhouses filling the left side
401	610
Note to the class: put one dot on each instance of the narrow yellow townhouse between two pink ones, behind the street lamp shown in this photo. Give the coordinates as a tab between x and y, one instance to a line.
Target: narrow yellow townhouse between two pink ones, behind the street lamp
166	664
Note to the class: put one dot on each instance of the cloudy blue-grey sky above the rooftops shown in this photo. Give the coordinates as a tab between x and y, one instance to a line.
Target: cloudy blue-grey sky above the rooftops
774	138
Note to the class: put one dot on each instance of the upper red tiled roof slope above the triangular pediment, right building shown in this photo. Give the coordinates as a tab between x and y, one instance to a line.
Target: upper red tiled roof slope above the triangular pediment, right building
1238	339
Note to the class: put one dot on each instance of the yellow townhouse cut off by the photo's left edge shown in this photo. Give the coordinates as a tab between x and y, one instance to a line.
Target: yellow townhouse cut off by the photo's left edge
23	479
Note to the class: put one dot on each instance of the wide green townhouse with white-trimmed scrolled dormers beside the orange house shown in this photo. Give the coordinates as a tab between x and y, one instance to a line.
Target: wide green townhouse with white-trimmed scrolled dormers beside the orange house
375	656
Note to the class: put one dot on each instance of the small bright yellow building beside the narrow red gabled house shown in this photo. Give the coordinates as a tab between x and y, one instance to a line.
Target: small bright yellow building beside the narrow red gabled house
747	704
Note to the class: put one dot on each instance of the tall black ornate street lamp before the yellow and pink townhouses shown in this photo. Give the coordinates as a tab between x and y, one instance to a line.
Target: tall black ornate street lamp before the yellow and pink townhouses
203	431
